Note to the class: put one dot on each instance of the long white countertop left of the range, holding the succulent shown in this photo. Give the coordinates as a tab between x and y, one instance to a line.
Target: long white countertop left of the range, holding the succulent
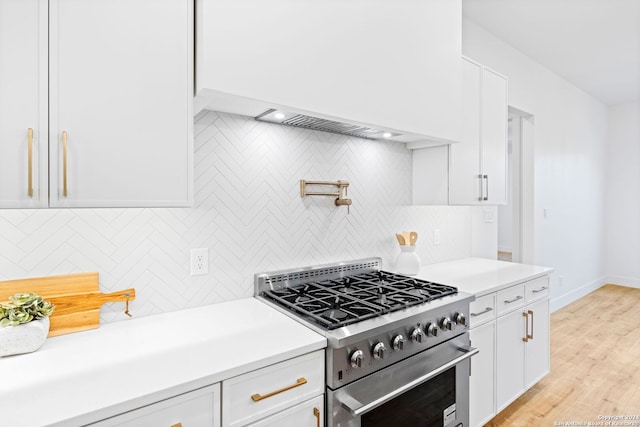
83	377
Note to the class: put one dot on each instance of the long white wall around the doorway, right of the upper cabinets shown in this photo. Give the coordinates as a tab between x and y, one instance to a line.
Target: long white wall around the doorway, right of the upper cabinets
569	164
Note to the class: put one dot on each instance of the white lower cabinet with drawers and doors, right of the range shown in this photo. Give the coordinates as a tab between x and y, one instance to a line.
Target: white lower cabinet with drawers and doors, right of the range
511	329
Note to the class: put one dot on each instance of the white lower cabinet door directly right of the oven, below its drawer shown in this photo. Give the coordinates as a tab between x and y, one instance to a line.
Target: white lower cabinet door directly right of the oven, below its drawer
482	380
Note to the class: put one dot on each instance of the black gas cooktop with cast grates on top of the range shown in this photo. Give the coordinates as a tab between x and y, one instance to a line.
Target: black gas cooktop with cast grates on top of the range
337	302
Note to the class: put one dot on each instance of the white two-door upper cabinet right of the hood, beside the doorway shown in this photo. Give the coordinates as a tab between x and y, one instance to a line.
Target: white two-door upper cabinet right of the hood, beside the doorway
478	165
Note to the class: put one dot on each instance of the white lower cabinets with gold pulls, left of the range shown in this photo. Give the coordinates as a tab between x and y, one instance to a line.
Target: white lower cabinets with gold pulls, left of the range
285	394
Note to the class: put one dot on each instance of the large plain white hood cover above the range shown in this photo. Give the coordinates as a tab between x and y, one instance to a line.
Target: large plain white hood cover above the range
394	65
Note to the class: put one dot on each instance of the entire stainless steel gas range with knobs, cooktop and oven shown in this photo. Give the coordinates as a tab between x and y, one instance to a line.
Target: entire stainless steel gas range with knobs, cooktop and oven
398	347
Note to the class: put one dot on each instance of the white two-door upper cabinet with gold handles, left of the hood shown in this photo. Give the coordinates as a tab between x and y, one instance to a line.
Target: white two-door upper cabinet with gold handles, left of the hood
96	103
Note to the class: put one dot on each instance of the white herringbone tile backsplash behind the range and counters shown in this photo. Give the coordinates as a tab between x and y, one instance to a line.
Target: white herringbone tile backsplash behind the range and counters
247	211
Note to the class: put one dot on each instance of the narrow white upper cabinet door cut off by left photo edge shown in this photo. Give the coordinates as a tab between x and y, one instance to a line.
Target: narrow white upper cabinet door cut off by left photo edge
23	103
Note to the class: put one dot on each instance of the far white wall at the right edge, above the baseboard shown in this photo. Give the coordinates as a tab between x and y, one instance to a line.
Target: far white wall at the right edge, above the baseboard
623	195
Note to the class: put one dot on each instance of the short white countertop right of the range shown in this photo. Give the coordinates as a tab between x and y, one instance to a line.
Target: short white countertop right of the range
481	276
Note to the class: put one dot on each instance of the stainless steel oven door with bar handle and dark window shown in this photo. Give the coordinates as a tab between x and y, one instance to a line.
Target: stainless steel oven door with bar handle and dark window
429	389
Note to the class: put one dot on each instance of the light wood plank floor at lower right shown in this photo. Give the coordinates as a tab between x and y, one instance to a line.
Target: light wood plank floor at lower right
595	364
